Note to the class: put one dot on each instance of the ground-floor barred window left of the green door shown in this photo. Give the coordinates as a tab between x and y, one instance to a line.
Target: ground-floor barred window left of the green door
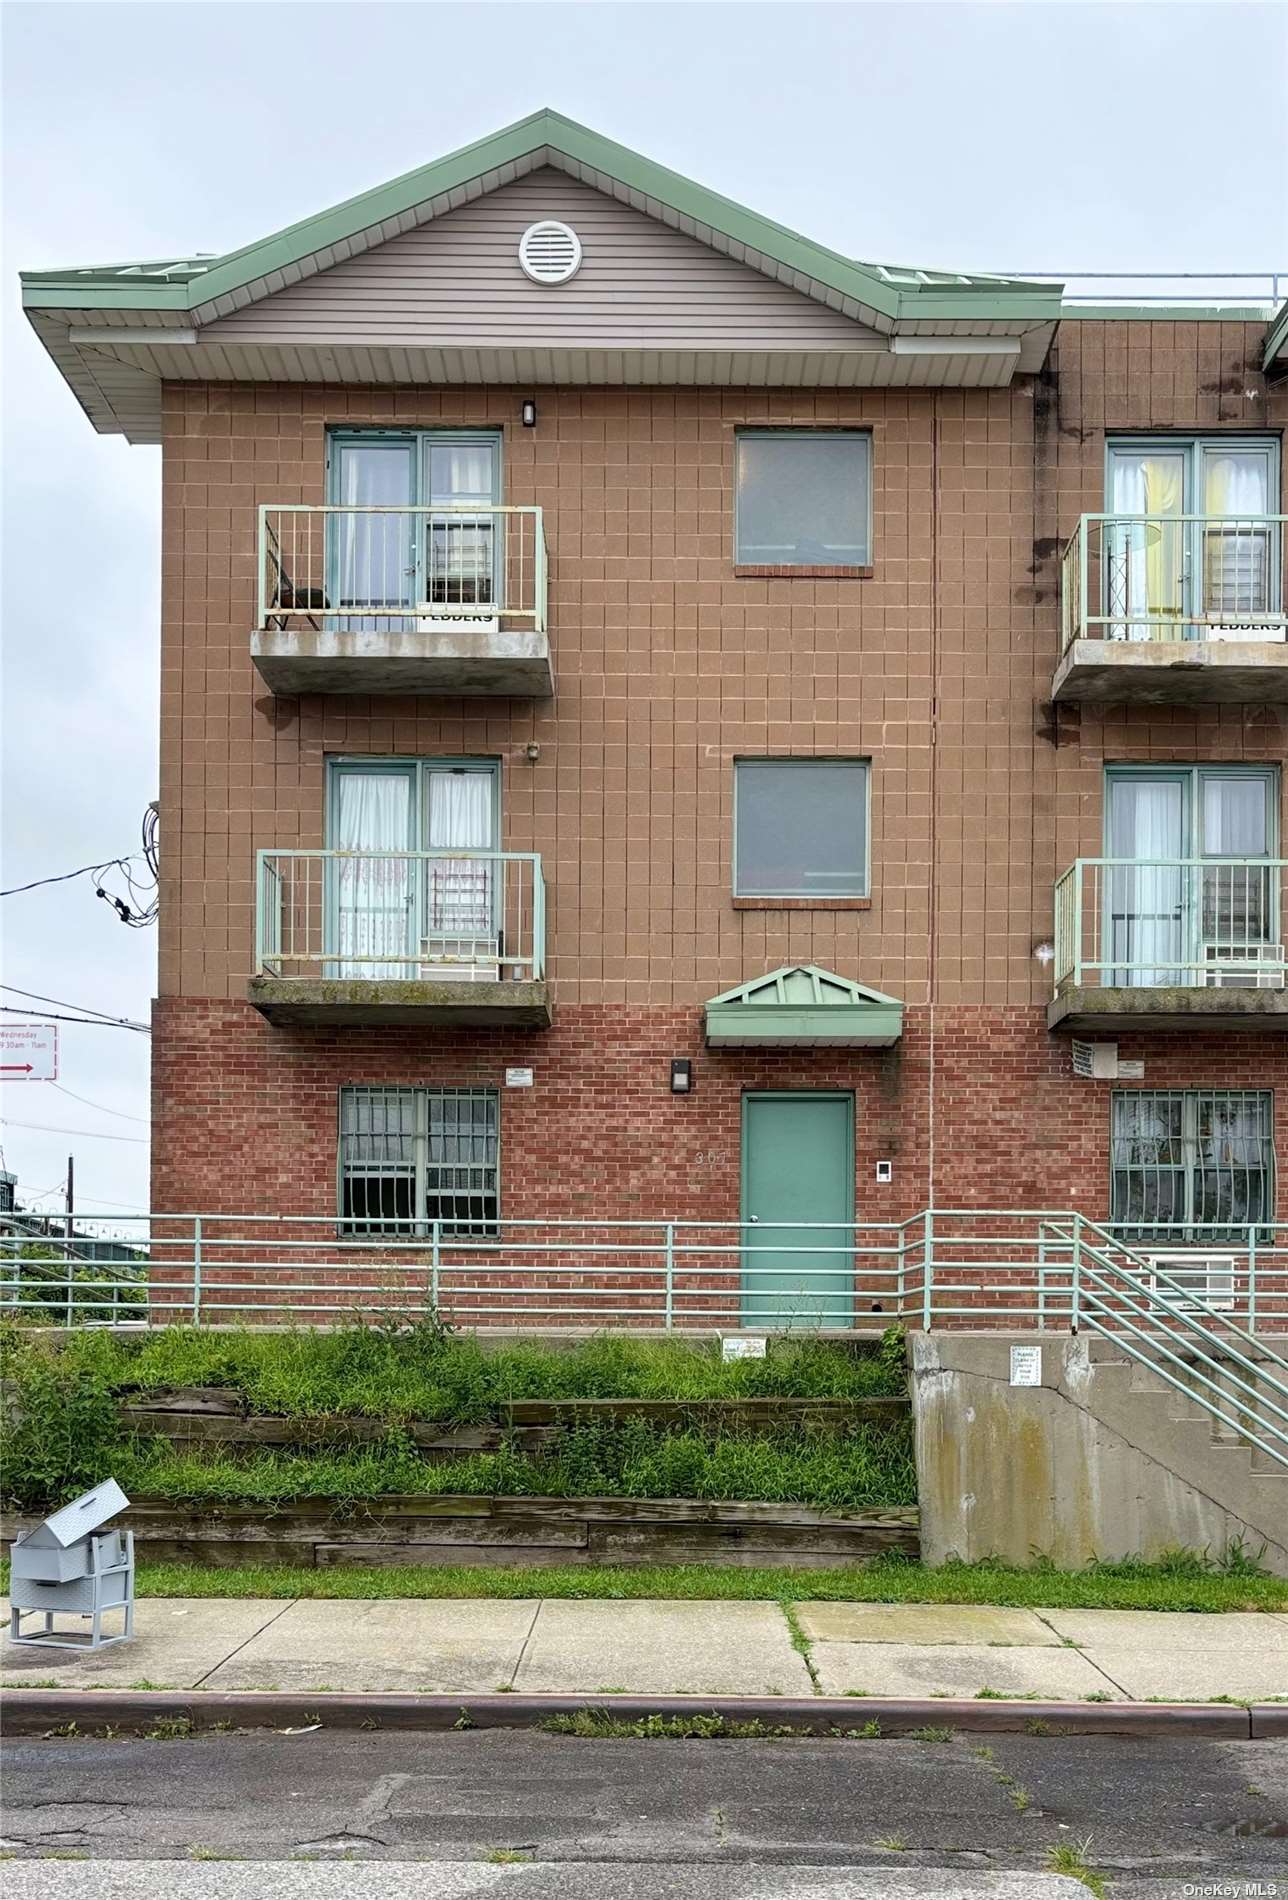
415	1156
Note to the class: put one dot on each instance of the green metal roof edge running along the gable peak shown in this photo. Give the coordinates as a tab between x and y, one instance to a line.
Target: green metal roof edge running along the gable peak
546	128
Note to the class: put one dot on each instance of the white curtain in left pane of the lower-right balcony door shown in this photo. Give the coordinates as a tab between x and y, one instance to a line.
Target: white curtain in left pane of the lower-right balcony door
1146	903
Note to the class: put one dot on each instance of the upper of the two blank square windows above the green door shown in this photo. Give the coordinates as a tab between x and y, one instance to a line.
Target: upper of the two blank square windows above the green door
803	499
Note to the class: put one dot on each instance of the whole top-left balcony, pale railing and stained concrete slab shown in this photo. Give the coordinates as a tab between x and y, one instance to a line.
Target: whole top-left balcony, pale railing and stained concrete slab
445	601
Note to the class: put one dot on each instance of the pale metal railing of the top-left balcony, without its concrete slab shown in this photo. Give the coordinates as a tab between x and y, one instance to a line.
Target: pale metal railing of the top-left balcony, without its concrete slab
402	569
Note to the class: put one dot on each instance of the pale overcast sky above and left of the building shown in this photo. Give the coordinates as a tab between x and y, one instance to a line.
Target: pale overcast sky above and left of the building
993	138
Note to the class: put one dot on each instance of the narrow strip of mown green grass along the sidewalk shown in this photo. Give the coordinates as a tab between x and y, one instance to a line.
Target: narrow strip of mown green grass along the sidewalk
1184	1584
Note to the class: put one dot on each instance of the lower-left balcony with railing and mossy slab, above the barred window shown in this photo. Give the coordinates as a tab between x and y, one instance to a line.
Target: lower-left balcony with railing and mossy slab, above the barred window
402	938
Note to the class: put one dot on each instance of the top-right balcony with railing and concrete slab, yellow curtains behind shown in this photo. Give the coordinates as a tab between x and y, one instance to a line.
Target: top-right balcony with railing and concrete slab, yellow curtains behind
1175	611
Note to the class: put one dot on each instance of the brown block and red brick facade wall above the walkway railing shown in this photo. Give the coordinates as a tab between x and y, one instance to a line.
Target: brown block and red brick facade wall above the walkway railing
670	666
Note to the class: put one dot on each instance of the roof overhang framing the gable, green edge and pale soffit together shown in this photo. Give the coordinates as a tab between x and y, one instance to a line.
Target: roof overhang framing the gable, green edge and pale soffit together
941	330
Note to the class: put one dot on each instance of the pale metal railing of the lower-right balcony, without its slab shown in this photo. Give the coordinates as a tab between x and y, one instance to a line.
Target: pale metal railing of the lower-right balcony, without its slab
1173	922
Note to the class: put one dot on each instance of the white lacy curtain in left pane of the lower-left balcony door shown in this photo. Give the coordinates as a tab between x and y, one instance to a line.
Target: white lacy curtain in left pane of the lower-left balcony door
373	896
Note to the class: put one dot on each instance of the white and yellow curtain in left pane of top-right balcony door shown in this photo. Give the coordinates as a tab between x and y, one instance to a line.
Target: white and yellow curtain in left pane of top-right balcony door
1145	560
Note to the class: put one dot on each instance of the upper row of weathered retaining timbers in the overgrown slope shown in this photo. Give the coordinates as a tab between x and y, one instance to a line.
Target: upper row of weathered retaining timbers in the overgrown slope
219	1416
